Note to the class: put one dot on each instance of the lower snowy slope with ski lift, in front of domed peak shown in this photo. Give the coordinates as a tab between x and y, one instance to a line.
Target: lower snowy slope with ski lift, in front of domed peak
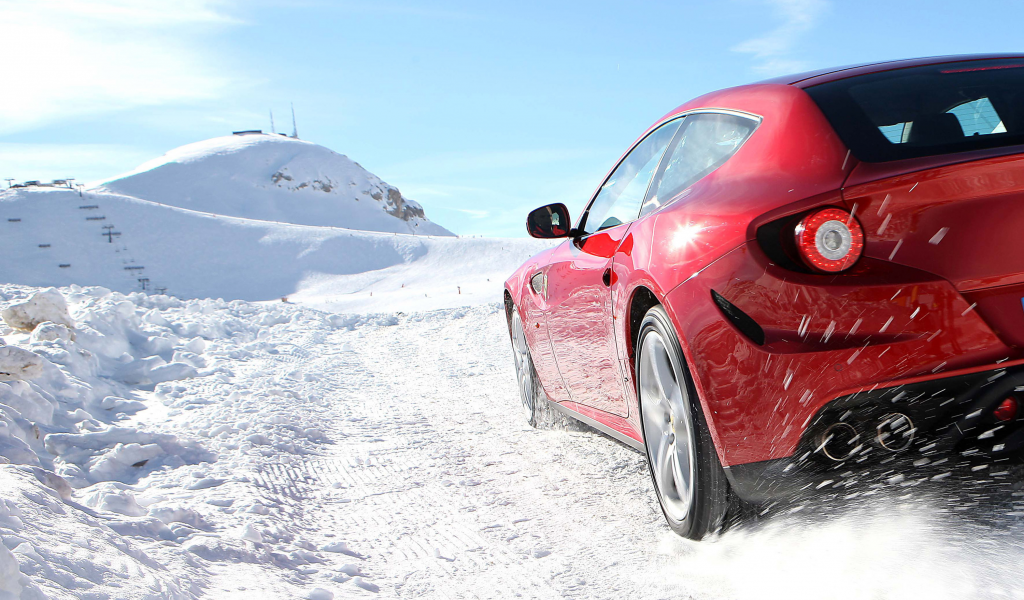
195	254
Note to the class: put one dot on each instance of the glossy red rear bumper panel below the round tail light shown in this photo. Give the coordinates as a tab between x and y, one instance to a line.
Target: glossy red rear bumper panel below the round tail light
822	340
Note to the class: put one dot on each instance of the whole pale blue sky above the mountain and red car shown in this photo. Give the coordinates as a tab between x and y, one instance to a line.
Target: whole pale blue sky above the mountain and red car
479	111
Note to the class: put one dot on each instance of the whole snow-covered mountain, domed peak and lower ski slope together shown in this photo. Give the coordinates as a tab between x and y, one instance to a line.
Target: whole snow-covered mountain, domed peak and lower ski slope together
251	218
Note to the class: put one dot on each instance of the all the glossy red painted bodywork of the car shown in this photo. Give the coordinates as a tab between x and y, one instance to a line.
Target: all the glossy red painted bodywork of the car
937	292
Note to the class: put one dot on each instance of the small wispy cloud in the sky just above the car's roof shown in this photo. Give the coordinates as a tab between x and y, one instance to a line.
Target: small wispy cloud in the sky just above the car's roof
773	52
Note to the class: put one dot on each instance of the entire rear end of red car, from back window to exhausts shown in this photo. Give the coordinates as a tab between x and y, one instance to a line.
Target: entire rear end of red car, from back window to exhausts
918	348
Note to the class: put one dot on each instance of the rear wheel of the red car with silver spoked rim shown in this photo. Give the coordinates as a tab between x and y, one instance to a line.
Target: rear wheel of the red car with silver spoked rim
685	466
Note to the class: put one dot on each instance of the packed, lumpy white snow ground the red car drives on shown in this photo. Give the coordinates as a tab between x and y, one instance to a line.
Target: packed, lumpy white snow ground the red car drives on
211	449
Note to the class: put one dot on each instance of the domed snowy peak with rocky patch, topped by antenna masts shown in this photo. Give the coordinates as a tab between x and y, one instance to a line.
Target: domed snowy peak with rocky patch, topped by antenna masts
275	179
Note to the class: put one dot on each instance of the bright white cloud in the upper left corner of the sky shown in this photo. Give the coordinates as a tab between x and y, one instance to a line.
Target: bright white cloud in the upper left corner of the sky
73	59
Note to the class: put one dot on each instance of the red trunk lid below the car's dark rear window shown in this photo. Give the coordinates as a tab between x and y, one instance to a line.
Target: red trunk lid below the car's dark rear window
962	222
